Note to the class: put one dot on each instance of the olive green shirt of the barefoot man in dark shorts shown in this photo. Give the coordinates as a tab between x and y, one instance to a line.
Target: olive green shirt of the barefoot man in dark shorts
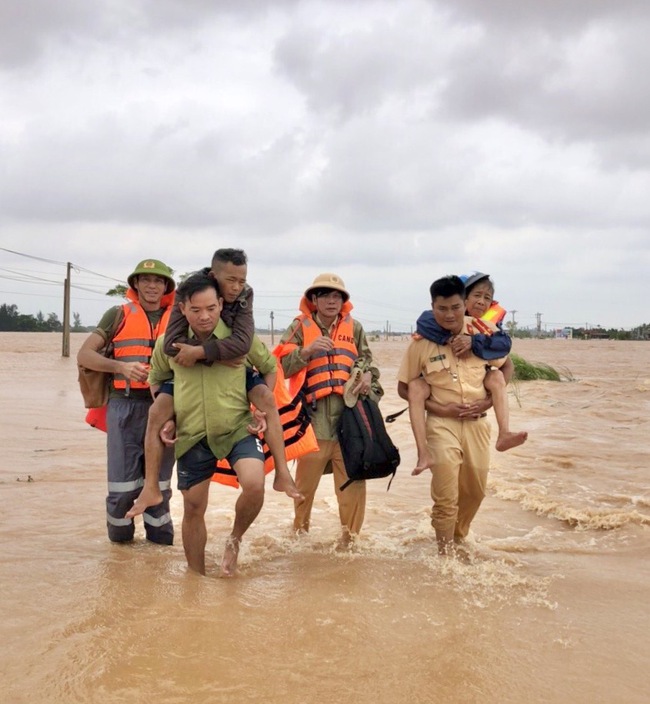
210	401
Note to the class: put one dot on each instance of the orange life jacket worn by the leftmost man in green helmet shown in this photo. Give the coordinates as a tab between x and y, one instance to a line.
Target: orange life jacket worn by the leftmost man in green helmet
136	337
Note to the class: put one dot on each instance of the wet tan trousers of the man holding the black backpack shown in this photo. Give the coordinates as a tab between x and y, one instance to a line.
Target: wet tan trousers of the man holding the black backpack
352	501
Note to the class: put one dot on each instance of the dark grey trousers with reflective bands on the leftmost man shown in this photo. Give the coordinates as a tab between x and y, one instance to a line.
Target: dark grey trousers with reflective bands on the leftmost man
126	421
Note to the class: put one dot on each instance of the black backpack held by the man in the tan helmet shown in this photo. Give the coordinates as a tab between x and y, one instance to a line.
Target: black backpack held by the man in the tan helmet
368	452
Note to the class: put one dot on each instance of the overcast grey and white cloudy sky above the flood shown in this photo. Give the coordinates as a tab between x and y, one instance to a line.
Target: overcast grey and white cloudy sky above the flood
389	141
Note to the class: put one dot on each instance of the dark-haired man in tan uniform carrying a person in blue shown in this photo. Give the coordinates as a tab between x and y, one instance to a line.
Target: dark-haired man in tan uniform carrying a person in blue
456	428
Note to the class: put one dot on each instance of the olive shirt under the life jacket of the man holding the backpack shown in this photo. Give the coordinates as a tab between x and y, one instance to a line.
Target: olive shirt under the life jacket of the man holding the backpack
327	411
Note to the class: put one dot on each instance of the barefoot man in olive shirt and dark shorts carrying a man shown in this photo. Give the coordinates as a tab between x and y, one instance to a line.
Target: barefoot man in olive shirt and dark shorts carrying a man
212	417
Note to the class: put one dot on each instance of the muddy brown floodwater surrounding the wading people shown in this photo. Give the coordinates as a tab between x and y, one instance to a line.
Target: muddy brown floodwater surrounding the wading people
550	606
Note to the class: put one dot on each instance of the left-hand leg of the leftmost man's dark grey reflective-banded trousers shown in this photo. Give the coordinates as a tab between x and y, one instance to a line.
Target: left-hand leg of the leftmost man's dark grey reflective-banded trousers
126	421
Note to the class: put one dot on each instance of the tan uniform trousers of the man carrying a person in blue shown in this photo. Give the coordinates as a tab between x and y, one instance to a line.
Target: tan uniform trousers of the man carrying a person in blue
462	458
